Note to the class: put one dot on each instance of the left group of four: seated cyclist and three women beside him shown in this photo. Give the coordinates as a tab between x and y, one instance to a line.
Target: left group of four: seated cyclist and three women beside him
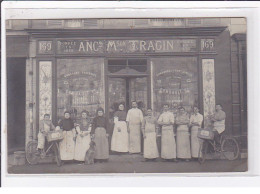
77	136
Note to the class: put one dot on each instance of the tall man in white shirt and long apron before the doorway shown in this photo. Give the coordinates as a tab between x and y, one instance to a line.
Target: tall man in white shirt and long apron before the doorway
134	121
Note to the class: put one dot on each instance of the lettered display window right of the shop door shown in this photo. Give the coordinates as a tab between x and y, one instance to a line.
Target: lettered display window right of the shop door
174	81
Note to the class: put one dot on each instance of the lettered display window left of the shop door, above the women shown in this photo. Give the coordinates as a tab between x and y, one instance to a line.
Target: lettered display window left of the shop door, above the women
79	86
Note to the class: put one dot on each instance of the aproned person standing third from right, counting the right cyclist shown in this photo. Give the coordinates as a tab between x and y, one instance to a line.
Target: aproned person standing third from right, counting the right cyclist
183	136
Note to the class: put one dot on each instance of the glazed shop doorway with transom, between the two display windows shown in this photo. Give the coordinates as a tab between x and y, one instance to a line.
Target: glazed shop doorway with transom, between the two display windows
128	80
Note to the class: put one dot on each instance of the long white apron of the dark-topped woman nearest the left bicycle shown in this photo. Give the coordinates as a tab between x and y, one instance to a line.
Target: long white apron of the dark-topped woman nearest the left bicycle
67	145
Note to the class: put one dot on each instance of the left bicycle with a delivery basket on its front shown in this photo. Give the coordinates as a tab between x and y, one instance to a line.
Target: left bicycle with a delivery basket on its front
53	138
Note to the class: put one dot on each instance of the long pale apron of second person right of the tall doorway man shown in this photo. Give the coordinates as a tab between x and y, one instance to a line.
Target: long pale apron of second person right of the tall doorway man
168	148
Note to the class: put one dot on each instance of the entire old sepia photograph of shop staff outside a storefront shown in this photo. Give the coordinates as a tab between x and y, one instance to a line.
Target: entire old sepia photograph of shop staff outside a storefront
126	95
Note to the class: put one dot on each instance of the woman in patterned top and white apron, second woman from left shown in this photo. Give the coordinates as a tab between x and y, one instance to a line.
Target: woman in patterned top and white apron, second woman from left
83	136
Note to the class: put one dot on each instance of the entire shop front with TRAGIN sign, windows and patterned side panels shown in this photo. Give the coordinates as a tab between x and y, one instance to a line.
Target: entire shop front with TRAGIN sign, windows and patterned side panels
84	70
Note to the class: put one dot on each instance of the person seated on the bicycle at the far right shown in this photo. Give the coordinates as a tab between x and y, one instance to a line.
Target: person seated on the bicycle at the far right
218	120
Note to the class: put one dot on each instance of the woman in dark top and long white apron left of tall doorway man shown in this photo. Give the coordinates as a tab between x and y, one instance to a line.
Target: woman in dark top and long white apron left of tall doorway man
120	138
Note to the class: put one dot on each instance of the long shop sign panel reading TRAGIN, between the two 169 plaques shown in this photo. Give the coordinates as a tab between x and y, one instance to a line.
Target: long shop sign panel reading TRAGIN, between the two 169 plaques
125	46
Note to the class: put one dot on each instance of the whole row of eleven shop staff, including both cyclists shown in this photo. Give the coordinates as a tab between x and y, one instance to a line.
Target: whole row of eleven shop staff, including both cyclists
178	131
